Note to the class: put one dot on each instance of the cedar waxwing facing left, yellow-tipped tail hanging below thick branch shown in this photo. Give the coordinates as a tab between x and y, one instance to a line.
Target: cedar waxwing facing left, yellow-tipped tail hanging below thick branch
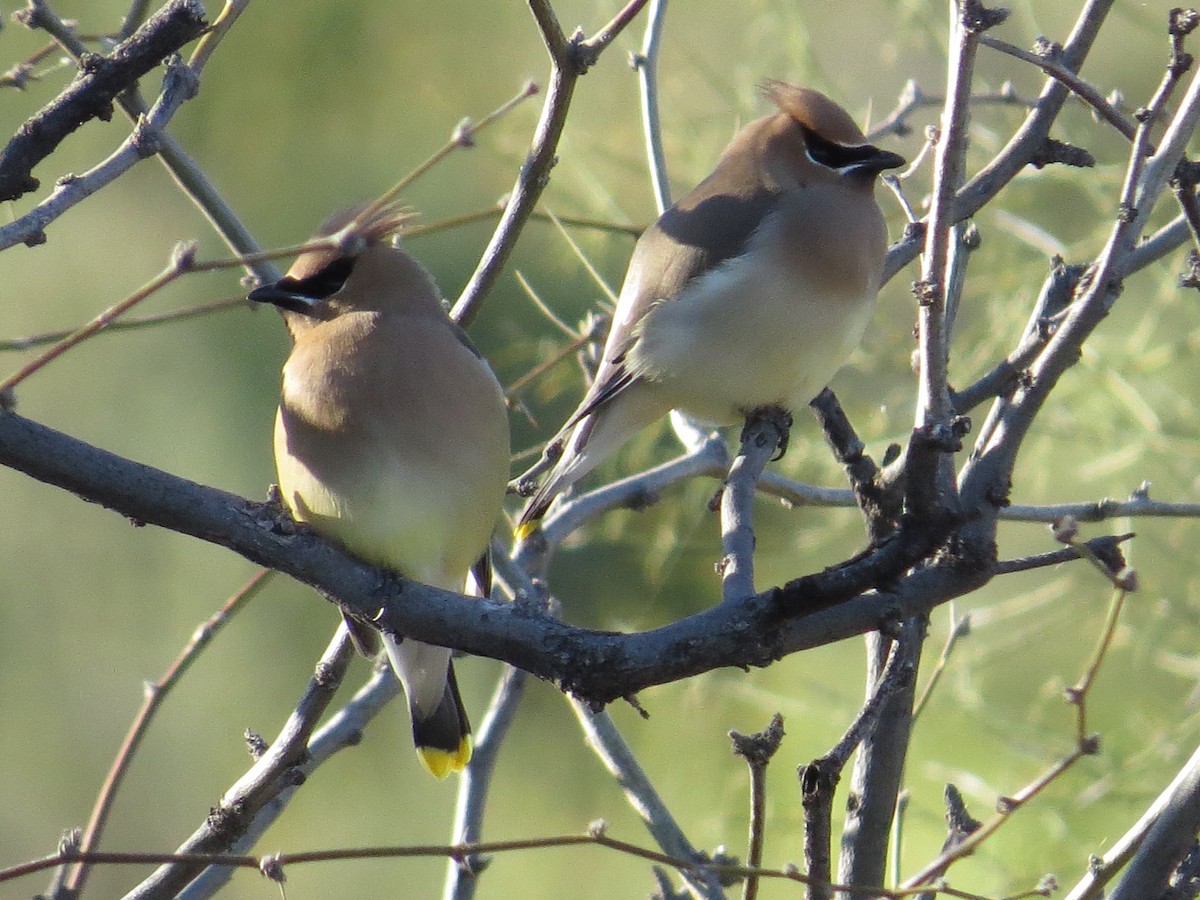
392	440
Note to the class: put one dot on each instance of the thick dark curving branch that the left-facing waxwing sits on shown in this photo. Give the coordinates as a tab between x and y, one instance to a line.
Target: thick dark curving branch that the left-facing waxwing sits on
598	665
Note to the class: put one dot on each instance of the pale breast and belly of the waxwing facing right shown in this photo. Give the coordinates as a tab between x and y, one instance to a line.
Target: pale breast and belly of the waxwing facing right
772	326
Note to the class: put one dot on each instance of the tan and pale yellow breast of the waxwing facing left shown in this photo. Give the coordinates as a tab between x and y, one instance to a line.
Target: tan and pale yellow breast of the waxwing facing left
394	454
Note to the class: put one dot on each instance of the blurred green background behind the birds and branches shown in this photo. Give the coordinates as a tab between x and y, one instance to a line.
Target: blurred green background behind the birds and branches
316	104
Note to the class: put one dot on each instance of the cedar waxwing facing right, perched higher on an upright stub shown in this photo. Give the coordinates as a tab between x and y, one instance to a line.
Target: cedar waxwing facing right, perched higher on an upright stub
751	292
